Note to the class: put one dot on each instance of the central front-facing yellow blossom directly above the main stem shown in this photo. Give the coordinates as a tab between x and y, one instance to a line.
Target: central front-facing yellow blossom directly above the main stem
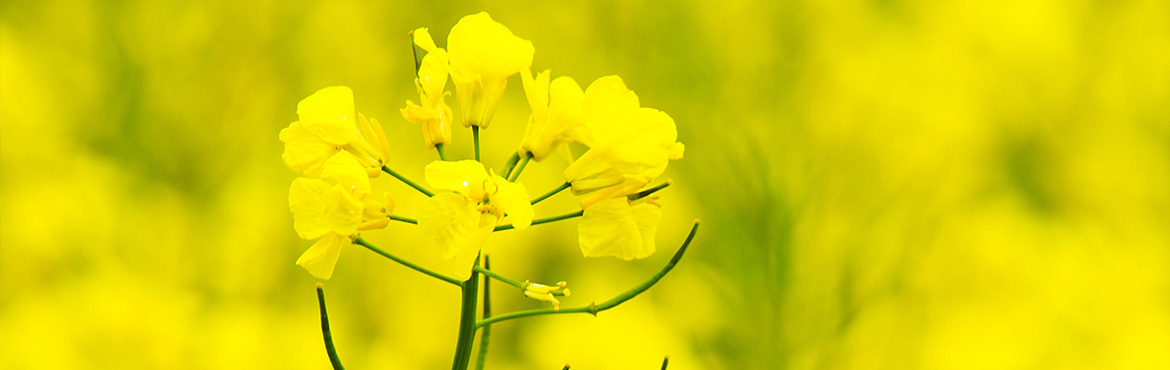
460	221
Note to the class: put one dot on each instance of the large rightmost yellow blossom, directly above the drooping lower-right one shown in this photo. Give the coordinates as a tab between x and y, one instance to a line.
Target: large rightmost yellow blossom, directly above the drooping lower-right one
629	145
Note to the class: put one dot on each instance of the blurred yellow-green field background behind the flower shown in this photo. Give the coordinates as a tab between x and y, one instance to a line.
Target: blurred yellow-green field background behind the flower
887	184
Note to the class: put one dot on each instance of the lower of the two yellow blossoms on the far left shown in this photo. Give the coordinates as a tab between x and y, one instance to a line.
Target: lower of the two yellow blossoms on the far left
334	208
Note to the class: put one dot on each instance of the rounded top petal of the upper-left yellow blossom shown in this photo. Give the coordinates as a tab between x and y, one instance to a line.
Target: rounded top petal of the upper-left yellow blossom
329	115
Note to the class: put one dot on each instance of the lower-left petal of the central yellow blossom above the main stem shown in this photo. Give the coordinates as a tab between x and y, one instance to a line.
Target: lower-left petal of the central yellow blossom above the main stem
452	221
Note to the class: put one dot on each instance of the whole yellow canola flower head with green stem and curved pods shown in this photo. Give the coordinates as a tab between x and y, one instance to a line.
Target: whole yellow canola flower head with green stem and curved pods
339	152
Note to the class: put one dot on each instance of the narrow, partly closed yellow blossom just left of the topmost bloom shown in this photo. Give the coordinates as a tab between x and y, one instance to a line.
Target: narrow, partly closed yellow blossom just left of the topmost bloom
435	115
